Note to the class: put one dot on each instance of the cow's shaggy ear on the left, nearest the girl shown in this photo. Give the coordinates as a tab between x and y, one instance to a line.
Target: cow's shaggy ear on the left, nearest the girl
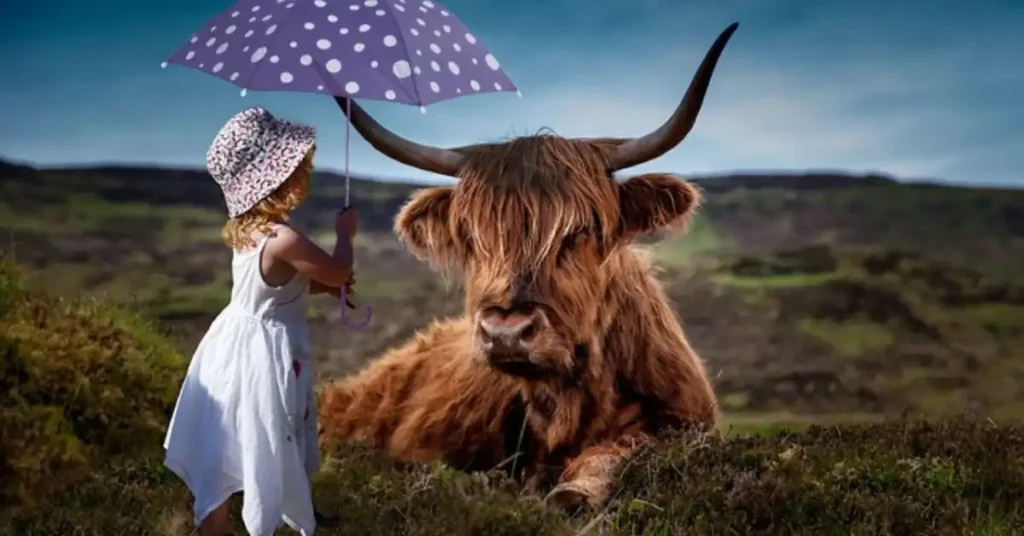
423	225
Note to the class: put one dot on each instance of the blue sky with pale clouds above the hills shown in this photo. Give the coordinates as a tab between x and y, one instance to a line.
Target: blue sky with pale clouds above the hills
918	90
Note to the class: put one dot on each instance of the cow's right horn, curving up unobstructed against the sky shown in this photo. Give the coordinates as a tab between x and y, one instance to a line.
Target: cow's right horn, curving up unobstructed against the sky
642	150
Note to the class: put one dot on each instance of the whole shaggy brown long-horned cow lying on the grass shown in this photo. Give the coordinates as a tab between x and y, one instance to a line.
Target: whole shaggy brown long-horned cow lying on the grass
569	355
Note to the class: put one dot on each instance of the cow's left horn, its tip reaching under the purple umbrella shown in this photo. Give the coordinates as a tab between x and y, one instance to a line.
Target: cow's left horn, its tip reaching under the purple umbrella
428	158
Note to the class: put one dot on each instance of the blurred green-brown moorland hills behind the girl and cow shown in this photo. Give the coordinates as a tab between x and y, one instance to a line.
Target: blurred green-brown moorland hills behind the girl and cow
812	297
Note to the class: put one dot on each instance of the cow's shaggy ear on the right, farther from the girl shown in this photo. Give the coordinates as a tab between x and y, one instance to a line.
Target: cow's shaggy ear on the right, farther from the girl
655	202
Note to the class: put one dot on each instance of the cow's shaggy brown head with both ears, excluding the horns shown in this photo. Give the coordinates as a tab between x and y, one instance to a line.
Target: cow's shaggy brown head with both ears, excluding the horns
530	227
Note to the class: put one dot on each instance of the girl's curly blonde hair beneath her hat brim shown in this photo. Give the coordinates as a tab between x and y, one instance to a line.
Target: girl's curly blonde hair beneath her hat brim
275	209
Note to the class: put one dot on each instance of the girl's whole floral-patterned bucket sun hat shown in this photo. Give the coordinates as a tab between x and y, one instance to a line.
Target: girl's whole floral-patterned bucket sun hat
253	154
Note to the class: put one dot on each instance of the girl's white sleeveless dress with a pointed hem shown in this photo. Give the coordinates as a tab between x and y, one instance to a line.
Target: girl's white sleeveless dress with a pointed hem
246	417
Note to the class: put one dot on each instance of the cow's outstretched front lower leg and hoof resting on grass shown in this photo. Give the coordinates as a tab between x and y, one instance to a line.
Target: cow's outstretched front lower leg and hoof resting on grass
589	476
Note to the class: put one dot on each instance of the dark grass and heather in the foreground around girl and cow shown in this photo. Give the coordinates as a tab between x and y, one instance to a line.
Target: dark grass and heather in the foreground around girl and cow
86	388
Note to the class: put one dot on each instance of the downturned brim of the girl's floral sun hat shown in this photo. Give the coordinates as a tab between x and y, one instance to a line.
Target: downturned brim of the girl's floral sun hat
287	146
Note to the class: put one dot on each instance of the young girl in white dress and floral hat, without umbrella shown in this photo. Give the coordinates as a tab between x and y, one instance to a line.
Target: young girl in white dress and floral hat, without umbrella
246	417
